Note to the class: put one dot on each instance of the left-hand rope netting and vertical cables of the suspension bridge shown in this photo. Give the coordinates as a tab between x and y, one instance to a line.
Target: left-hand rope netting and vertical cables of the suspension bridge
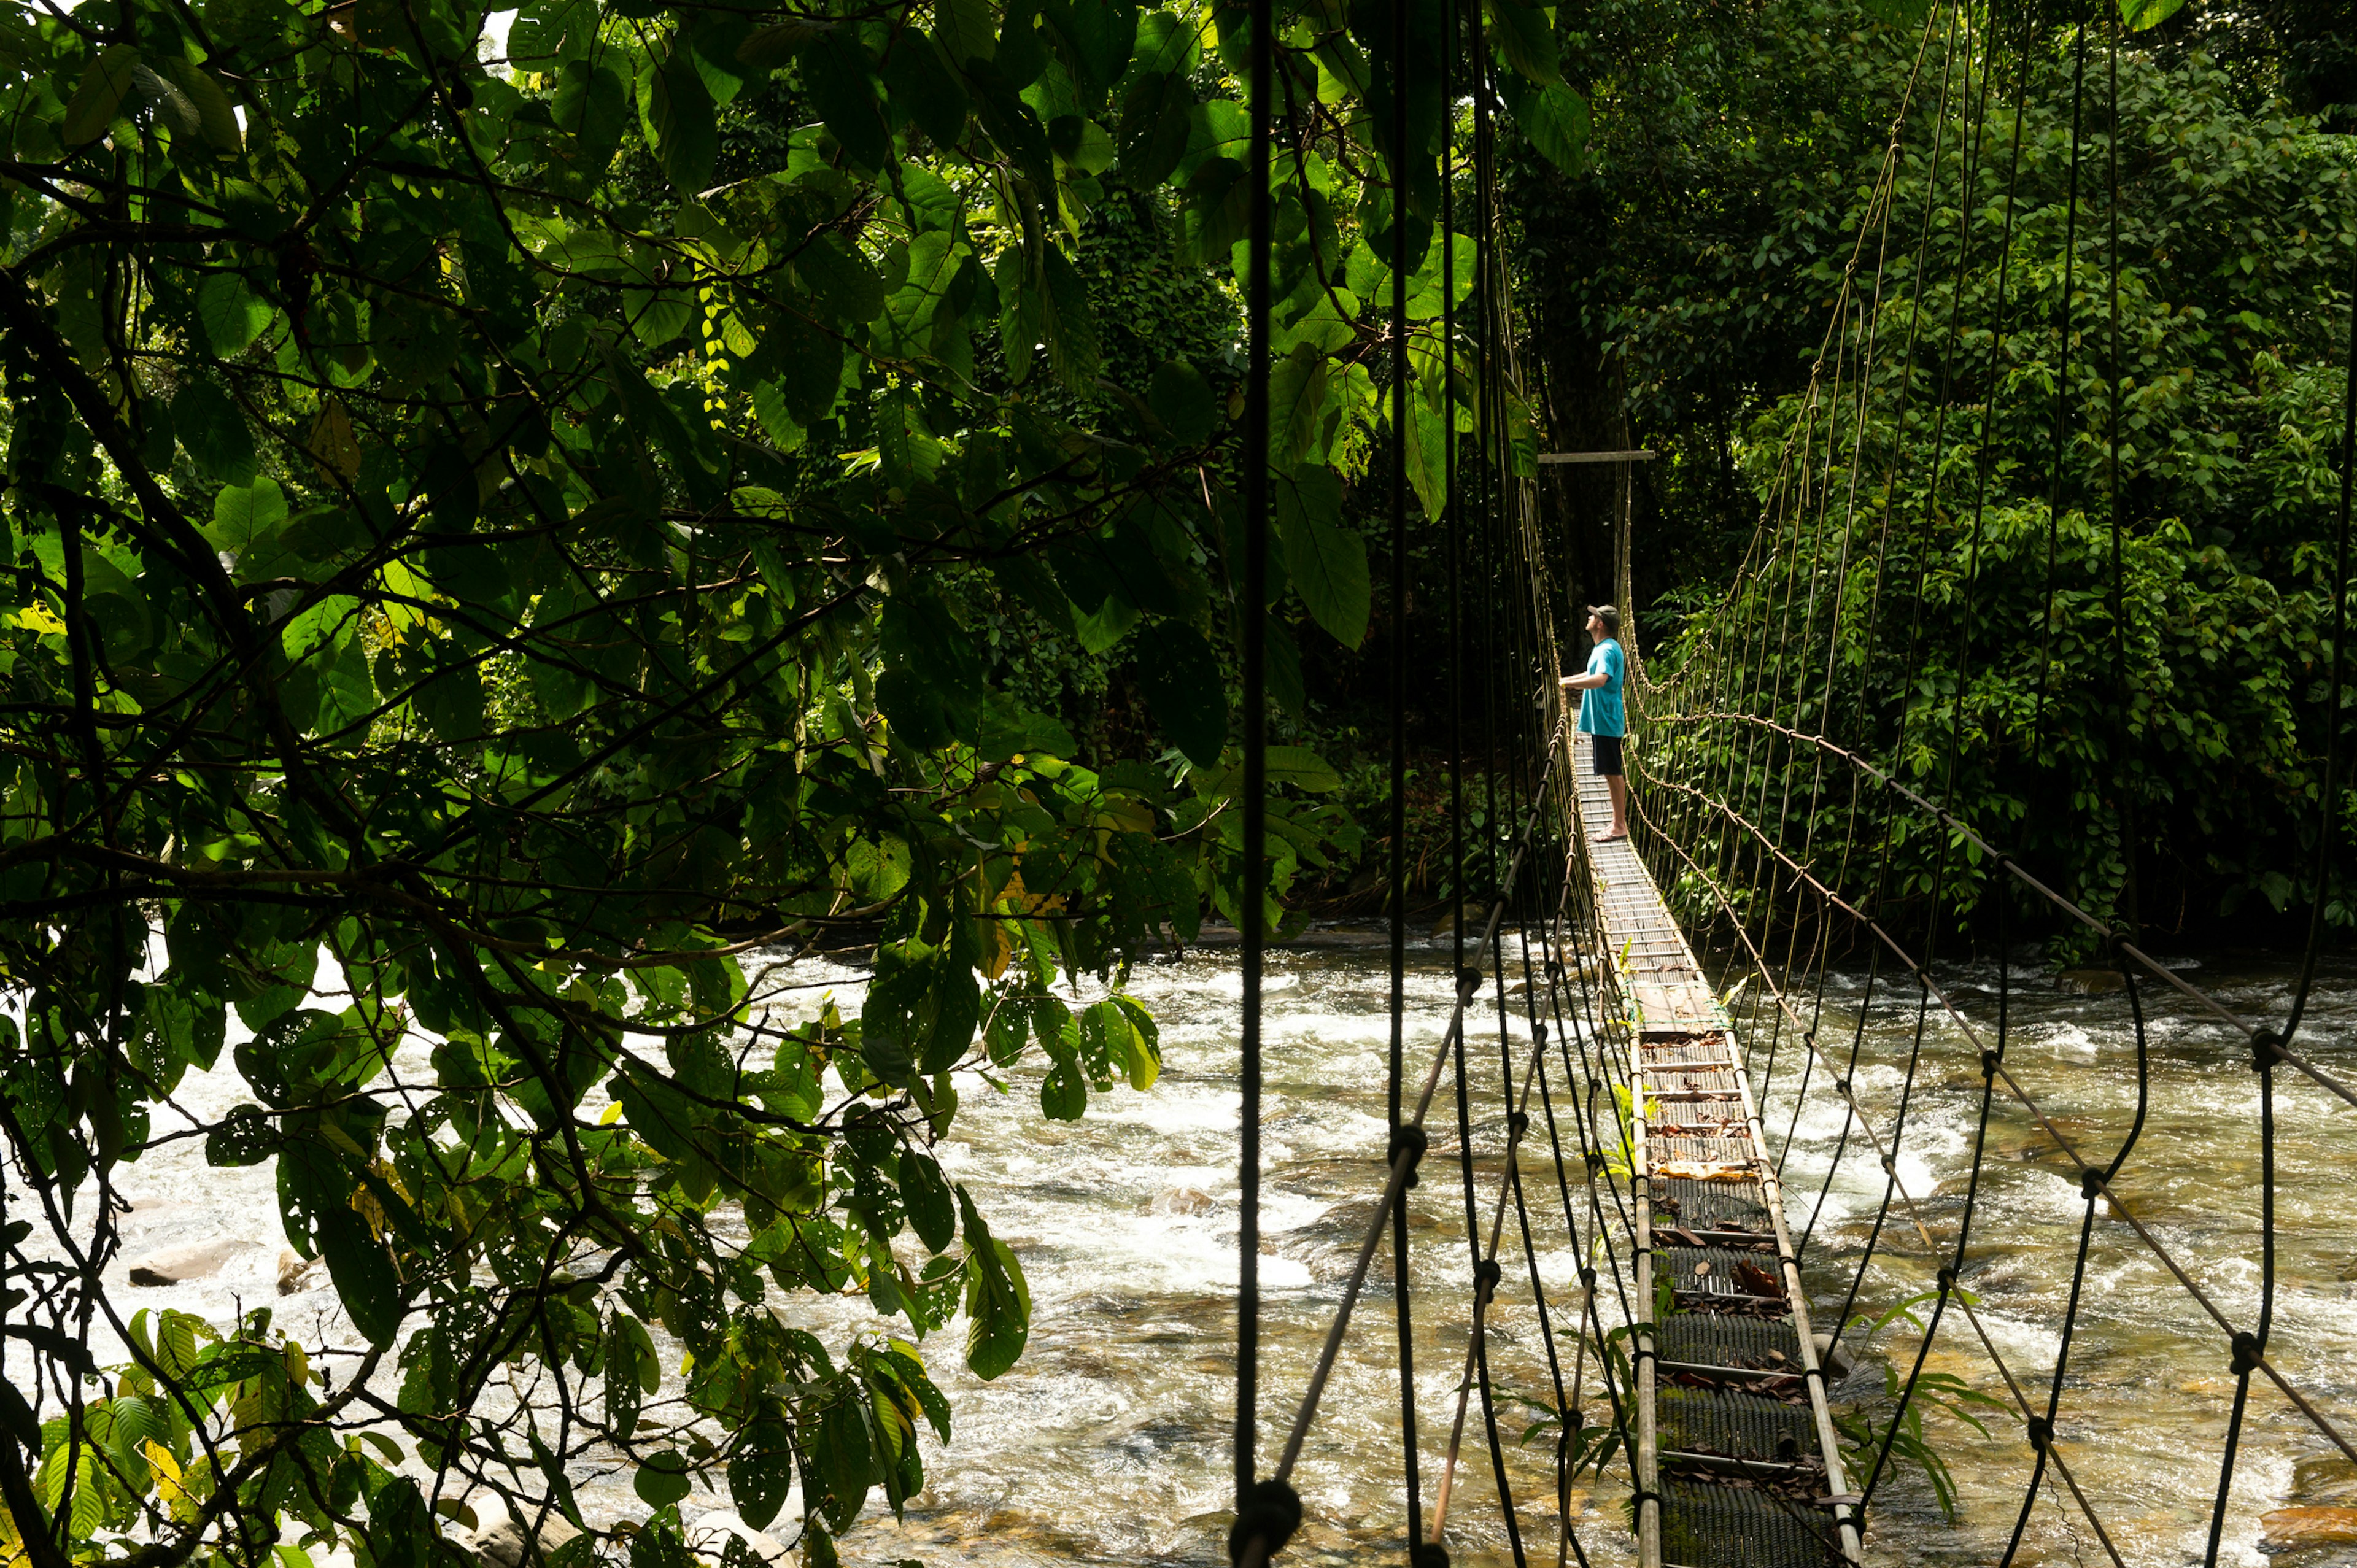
1529	944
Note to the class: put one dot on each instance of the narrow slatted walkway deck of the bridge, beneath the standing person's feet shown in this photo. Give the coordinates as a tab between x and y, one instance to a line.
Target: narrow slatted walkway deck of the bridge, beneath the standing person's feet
1736	1451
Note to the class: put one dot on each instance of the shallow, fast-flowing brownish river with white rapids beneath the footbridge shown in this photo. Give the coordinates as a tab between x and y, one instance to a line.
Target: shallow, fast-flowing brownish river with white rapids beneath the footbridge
1109	1442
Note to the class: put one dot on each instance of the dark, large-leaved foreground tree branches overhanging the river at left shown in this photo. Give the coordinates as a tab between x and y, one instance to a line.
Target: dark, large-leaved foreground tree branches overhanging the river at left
491	551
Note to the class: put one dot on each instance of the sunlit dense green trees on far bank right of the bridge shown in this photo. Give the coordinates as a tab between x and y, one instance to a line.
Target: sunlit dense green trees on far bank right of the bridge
1736	178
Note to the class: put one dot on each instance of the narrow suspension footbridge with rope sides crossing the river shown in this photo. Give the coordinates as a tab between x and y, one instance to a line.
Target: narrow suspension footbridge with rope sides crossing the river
1771	826
